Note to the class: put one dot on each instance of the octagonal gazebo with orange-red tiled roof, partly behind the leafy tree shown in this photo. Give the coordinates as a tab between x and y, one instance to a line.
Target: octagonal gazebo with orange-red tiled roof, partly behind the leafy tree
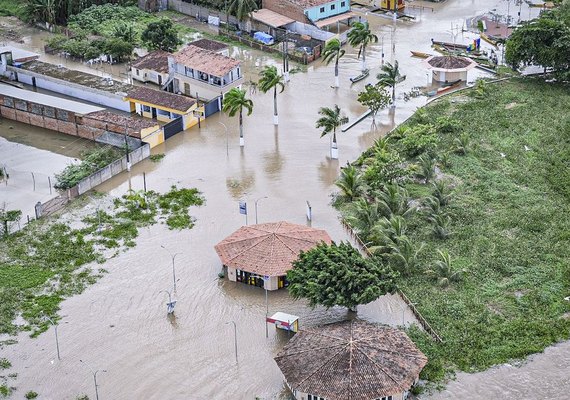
255	252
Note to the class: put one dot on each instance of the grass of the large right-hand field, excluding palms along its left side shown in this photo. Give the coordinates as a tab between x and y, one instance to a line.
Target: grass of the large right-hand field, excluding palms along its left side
509	225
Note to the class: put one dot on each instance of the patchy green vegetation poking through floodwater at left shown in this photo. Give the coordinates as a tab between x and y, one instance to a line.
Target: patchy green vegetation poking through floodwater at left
48	261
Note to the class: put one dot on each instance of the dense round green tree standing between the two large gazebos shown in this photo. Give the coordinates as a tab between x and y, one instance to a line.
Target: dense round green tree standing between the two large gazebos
338	275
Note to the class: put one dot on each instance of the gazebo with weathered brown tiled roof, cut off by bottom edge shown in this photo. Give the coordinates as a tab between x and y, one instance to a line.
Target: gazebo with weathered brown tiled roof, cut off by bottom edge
350	360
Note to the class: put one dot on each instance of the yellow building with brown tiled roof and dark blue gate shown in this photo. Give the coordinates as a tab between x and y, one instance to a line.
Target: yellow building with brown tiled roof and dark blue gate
178	112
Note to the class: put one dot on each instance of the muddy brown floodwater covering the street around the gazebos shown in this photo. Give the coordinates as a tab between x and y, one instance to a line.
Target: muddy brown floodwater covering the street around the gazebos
120	325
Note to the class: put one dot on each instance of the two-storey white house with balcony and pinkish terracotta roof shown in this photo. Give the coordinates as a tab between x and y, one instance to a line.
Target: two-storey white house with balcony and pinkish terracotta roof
203	74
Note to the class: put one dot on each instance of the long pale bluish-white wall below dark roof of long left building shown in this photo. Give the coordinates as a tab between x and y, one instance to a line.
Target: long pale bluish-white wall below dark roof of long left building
106	99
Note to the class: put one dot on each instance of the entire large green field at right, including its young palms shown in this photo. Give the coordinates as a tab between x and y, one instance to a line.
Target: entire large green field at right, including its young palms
467	200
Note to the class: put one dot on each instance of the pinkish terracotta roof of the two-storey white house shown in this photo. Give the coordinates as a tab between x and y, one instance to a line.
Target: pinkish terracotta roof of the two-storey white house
205	60
